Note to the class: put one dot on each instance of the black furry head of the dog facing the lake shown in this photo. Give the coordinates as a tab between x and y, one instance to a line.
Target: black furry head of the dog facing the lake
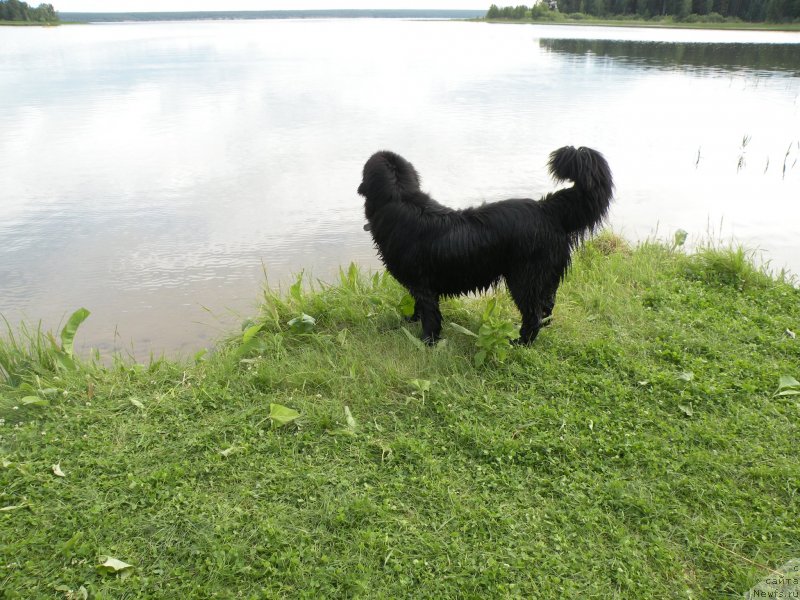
387	177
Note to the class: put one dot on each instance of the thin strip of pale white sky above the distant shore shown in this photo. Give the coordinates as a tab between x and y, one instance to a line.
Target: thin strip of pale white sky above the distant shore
193	5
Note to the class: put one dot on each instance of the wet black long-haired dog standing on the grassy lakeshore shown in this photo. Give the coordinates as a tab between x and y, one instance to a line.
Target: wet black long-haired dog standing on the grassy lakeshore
436	251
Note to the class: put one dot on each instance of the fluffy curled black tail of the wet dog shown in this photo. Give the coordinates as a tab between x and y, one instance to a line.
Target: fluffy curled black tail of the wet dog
581	208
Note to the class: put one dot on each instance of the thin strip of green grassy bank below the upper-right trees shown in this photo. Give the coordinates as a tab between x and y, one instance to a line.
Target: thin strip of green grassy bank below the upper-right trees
665	22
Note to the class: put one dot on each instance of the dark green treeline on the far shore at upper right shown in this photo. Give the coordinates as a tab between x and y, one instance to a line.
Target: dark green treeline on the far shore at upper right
775	11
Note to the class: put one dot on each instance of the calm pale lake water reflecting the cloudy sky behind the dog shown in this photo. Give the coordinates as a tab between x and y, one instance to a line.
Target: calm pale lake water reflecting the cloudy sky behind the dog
151	172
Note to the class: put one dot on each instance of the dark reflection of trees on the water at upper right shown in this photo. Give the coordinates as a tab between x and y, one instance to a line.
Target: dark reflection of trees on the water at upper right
703	57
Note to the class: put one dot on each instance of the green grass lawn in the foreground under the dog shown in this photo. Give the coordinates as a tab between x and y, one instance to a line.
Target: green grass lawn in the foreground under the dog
637	450
